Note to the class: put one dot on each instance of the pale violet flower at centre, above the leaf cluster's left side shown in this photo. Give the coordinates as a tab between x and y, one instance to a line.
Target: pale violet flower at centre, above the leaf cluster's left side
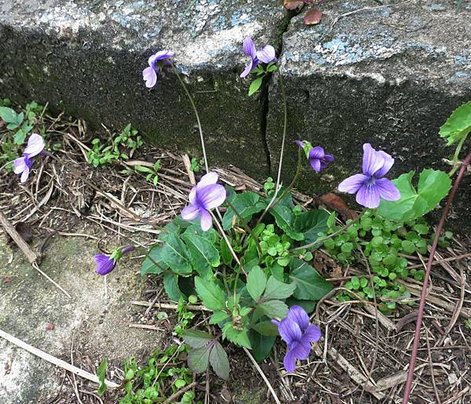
206	195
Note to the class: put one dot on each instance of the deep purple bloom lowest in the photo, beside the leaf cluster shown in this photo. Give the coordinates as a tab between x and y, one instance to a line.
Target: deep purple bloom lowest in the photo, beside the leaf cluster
298	333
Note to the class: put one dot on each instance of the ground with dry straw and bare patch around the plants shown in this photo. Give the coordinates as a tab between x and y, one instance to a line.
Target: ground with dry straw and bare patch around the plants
73	210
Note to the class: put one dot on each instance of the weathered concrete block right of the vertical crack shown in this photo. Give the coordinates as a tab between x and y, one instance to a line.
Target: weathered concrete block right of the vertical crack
387	75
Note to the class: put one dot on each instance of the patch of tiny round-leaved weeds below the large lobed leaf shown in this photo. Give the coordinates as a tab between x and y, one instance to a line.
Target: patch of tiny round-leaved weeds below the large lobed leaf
385	244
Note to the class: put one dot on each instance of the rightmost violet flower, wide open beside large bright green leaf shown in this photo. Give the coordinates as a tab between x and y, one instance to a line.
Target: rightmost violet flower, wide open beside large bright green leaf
370	187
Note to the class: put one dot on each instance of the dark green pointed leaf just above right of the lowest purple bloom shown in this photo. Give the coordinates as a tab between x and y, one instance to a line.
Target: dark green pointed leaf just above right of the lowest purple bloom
309	284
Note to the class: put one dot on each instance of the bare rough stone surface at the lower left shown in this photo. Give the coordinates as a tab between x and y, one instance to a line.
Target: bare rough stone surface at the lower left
93	325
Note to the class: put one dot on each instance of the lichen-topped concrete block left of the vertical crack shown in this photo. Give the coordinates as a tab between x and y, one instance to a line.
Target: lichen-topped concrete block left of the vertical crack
88	57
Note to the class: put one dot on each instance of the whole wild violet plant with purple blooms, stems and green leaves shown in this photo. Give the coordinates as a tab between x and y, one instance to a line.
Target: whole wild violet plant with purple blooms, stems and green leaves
246	256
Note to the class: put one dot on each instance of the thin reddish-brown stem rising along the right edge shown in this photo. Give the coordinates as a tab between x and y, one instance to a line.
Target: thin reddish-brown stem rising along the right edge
420	313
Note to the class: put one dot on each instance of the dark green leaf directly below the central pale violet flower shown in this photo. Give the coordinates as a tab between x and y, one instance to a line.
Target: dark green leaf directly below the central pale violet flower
204	256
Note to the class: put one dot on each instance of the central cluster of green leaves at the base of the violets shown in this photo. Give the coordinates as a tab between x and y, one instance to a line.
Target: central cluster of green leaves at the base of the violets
244	295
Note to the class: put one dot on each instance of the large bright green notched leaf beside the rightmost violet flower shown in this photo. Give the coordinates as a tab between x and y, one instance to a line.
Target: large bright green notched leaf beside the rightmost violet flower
433	186
